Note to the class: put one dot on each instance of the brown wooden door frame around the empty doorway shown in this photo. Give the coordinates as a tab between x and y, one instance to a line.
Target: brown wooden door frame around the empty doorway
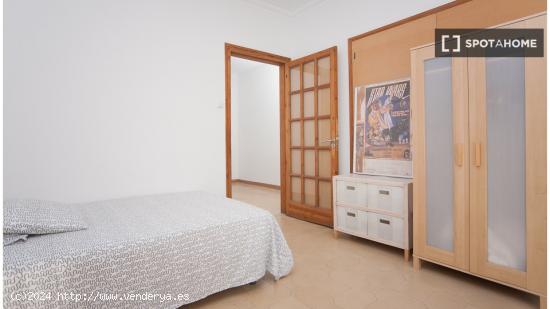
232	50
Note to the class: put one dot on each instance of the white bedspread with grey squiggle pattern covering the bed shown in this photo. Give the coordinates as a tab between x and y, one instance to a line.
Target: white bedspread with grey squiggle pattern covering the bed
160	251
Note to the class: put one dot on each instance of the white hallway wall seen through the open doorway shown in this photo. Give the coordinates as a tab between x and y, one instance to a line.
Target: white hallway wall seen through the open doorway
255	111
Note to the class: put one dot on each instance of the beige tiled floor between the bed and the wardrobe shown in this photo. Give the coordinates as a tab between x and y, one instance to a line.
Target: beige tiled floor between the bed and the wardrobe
353	273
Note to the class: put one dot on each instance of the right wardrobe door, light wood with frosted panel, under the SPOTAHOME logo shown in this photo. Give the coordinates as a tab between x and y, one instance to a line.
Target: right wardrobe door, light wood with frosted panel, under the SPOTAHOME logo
508	167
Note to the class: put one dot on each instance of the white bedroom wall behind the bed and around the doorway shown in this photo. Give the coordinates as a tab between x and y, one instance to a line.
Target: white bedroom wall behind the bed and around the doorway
108	98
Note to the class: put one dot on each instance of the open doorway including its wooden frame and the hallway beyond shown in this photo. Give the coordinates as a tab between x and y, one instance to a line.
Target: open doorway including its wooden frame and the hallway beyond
255	127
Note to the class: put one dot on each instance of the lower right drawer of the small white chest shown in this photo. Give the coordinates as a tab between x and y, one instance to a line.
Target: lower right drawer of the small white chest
385	228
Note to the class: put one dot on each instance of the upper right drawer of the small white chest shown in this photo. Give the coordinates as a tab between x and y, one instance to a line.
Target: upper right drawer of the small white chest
386	198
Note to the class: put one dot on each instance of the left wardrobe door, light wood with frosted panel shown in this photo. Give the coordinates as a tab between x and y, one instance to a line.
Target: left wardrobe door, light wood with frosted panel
440	157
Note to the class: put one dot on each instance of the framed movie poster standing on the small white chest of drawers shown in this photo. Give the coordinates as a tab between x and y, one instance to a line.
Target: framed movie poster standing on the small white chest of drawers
382	129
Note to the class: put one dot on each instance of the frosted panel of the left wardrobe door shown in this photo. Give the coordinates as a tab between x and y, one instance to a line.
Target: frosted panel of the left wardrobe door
439	153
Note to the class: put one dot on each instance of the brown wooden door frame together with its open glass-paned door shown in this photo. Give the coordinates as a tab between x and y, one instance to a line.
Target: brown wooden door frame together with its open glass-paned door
308	128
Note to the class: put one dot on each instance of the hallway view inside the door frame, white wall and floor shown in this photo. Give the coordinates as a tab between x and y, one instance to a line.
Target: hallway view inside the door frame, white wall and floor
255	133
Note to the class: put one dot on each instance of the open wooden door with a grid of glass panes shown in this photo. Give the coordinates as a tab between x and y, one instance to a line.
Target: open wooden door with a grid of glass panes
311	133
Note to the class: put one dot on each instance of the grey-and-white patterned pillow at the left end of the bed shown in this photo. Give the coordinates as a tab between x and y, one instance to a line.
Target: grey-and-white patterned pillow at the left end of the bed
40	217
